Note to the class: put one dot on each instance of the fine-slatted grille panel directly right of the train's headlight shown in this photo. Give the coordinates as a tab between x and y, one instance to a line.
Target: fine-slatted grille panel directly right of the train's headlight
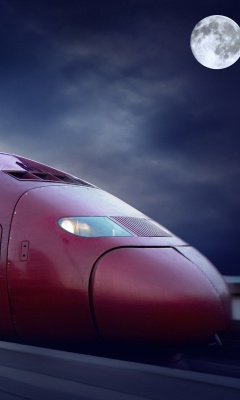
142	227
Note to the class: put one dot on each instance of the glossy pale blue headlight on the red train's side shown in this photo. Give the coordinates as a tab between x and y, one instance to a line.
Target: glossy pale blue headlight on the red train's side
92	227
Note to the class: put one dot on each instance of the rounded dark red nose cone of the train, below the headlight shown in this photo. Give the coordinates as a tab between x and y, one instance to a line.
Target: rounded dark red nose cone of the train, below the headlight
158	295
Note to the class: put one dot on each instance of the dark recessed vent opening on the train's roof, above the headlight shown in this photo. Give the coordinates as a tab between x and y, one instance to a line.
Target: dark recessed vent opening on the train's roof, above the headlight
43	176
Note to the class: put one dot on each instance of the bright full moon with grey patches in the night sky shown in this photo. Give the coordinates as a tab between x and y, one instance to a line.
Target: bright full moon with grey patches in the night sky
215	42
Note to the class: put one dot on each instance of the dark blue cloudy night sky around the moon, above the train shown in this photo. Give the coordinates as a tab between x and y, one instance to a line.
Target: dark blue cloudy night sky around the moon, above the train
109	91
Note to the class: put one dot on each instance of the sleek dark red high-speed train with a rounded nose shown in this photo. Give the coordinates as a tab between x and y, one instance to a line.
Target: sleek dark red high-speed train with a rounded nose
79	264
